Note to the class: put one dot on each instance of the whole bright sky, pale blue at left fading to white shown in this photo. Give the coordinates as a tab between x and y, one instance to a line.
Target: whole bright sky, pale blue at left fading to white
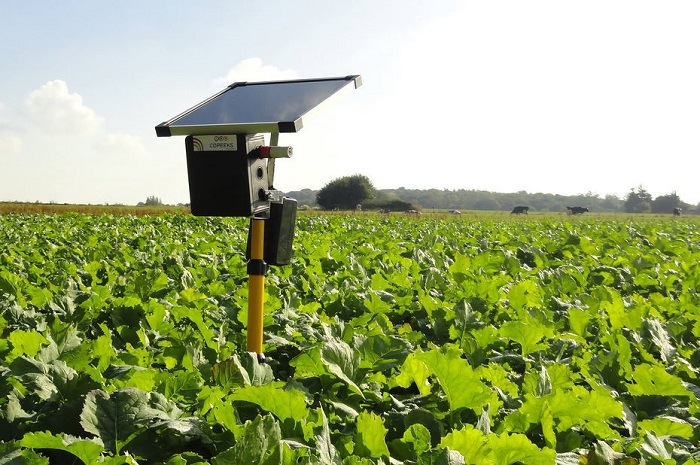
544	96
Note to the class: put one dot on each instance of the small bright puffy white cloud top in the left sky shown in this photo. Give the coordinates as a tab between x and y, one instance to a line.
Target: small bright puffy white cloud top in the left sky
57	111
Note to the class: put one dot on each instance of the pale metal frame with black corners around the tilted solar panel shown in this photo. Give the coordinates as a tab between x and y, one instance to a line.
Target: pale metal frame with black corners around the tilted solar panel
287	125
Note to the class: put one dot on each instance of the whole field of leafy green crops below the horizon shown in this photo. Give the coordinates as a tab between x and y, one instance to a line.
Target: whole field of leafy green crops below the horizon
389	340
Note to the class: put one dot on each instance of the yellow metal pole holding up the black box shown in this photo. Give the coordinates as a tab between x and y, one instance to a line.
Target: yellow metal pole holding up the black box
256	285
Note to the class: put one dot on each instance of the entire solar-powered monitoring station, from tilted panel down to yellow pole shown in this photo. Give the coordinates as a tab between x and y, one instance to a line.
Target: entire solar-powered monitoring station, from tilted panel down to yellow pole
230	169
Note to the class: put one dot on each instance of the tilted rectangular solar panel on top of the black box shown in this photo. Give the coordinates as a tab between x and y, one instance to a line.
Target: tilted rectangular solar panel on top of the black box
256	107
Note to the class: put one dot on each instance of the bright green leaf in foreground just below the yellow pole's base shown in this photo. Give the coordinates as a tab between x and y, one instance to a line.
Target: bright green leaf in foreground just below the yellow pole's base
274	398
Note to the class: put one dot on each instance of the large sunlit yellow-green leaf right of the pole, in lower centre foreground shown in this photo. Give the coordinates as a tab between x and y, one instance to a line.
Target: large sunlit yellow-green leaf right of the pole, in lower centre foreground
458	380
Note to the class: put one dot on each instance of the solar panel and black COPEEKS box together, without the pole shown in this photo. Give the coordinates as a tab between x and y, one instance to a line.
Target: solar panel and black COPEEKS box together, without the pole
229	167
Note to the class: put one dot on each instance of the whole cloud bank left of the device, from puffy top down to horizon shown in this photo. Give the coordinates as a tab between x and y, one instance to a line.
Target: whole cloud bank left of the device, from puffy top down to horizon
68	155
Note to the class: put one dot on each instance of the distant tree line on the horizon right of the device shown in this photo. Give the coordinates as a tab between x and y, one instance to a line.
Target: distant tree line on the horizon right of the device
346	193
